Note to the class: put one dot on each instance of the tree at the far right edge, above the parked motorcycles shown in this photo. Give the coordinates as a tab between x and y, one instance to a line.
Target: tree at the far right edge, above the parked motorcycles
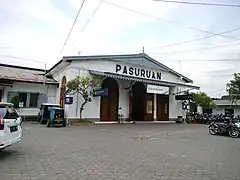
233	88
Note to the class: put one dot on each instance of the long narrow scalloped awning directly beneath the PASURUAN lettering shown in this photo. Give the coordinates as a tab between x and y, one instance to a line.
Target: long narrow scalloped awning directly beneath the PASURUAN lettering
148	81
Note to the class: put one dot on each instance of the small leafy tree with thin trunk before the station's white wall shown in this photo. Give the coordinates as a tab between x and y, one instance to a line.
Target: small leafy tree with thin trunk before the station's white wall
84	86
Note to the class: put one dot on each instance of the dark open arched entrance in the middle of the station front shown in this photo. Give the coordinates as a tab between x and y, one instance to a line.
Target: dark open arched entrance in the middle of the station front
138	102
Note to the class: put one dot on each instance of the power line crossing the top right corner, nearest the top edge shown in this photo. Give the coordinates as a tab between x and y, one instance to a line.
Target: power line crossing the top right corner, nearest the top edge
200	3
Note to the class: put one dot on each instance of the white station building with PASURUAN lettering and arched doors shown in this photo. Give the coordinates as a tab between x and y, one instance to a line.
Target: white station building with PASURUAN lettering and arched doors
139	87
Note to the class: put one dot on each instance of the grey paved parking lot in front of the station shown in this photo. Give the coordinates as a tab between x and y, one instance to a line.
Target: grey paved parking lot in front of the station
130	151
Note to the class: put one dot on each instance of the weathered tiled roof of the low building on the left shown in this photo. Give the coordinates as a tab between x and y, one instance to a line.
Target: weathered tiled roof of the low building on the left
24	74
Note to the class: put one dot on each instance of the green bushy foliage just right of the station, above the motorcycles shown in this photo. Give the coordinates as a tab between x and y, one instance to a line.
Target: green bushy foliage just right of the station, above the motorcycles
203	100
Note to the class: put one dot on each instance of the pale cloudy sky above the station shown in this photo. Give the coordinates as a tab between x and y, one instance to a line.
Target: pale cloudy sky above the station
36	31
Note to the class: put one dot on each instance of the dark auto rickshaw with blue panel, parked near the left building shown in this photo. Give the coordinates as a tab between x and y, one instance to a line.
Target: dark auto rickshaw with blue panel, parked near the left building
51	114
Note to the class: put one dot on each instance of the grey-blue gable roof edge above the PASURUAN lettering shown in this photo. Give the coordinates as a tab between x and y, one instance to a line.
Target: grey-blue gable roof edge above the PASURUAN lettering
147	61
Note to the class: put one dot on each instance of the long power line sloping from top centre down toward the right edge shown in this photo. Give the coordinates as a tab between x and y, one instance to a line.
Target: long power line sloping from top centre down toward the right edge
164	20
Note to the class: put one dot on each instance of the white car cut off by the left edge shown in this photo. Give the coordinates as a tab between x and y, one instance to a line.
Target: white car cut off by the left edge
10	125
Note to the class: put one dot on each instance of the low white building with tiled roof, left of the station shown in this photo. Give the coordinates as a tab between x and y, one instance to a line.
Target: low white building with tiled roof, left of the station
29	84
